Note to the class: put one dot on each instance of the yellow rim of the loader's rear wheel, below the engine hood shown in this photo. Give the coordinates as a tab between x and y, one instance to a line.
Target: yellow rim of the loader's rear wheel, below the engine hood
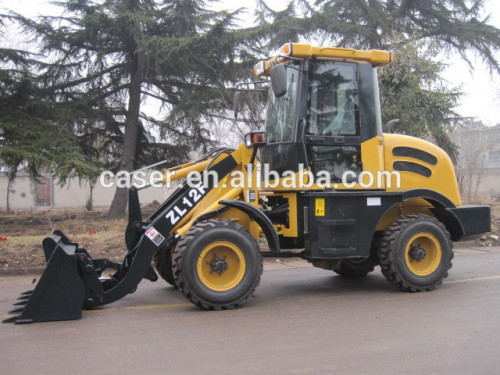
423	254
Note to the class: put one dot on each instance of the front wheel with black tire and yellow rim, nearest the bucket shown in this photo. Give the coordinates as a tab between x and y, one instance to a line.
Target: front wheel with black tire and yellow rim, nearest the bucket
217	264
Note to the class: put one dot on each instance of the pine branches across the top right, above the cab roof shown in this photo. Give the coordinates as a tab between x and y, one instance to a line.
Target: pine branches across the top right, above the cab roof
451	25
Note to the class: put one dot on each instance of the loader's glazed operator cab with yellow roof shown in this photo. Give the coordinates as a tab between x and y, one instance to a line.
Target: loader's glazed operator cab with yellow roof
328	106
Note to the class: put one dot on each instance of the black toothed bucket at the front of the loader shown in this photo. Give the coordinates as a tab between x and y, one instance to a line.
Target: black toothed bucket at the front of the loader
60	292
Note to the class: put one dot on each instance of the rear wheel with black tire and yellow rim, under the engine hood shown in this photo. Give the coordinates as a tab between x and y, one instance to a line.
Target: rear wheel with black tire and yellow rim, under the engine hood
416	253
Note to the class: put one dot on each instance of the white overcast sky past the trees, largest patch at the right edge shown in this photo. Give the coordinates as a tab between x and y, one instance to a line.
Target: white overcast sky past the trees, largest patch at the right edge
481	88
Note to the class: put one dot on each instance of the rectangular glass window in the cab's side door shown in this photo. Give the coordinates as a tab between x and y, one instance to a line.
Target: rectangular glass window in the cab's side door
333	99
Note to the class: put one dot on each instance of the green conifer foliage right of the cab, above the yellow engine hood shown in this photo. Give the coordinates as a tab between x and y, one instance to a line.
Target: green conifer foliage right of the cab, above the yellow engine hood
412	91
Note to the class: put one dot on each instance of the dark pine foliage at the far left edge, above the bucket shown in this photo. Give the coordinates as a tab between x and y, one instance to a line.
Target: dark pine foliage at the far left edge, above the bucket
33	133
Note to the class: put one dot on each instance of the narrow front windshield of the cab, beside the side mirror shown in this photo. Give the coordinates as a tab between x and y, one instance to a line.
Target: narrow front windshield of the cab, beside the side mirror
281	111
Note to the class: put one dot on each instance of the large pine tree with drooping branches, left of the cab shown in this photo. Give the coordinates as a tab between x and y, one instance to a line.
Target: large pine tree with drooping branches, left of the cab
110	57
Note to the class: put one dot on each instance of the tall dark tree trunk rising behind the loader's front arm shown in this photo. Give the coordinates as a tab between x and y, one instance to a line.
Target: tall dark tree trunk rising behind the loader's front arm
127	163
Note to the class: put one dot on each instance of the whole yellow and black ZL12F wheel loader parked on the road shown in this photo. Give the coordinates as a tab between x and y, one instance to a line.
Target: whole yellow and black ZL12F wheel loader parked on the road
311	186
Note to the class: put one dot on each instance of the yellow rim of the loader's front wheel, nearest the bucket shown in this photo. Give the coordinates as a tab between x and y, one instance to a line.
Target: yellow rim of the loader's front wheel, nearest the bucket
221	266
